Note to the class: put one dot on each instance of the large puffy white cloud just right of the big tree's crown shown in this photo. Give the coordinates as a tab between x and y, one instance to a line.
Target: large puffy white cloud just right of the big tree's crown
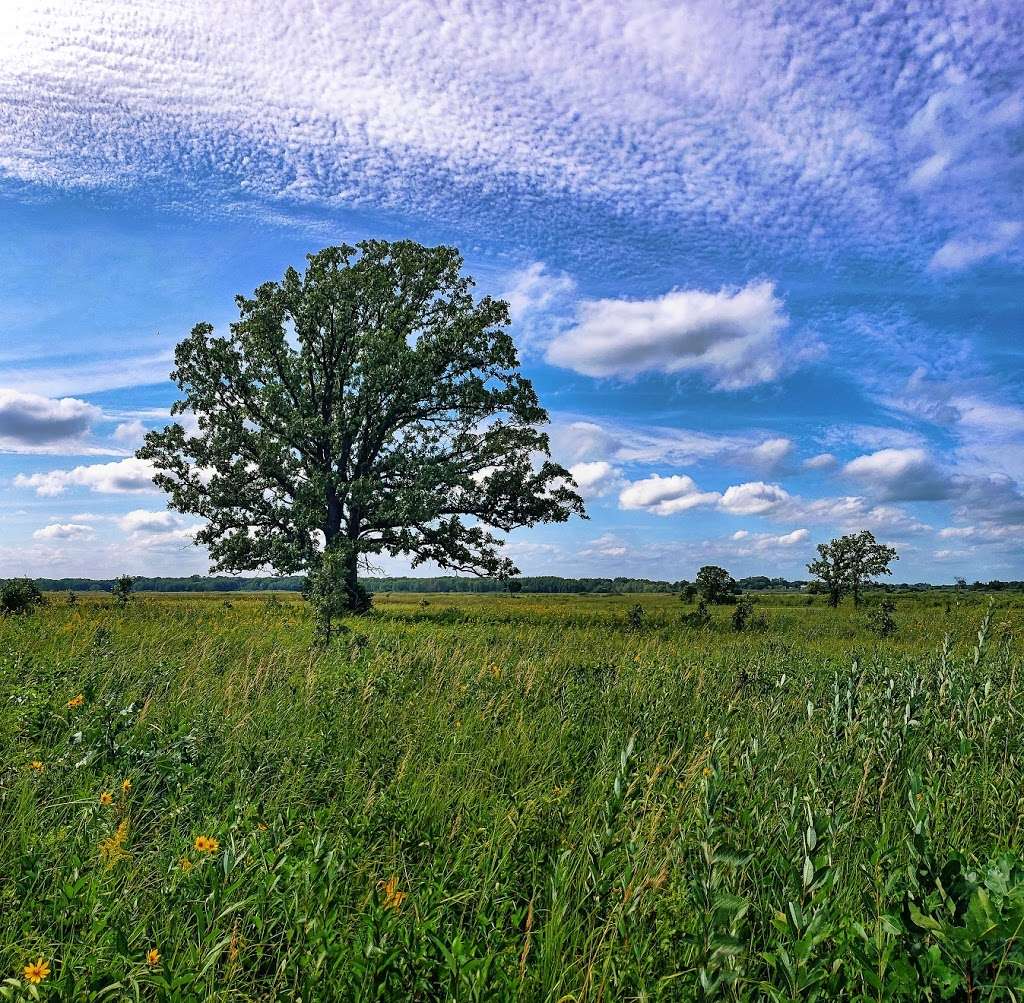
733	338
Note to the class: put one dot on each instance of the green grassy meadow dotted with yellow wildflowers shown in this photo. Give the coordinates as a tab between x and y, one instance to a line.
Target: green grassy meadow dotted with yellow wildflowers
482	798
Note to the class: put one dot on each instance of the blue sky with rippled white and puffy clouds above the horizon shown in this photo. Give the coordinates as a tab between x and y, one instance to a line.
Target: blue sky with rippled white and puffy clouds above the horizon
765	262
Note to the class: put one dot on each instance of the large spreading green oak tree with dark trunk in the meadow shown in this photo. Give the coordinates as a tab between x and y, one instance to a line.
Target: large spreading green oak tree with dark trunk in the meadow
369	406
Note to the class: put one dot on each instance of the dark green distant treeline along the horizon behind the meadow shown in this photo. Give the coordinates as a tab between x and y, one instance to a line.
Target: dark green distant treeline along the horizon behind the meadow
542	583
